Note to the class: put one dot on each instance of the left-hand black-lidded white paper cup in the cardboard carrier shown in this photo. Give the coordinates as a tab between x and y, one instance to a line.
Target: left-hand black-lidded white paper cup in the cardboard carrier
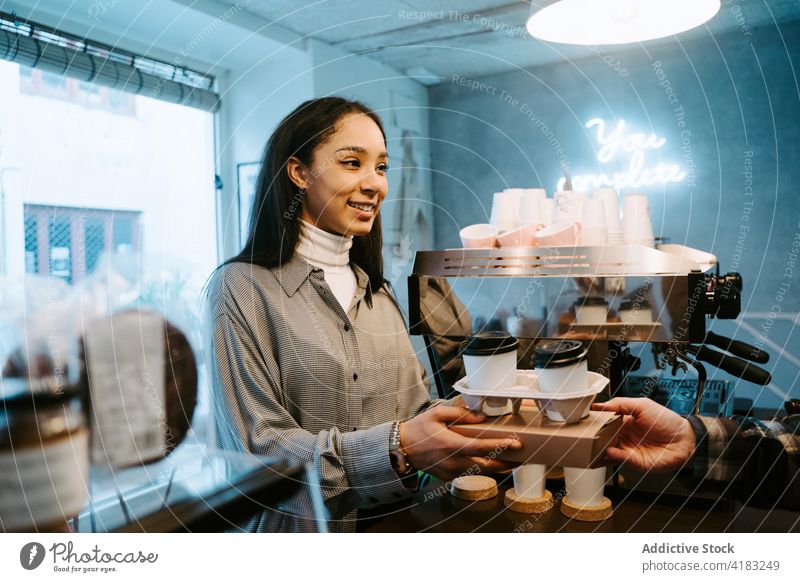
490	360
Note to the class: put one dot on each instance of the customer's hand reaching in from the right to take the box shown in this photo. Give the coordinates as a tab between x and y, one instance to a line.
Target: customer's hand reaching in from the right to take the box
652	438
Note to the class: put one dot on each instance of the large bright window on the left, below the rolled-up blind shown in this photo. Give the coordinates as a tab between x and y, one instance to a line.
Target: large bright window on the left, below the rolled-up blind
85	169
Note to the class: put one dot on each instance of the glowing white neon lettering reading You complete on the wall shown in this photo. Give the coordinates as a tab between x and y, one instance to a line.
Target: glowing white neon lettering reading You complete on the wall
617	144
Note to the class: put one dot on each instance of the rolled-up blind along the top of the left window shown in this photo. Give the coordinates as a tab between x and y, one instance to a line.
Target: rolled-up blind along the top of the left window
36	46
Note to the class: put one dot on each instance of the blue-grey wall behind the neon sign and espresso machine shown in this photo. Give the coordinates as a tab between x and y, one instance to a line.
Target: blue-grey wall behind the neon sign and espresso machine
732	102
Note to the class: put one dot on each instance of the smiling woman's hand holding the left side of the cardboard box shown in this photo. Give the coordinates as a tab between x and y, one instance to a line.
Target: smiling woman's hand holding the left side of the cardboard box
431	446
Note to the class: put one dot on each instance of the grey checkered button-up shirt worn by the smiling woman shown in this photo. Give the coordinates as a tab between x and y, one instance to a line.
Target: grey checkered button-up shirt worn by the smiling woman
295	377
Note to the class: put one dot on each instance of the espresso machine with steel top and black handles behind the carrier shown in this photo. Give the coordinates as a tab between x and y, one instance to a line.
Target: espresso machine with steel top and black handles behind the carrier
682	288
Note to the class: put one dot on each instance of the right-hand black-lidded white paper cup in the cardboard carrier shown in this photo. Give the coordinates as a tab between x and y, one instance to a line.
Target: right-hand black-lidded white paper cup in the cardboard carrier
561	366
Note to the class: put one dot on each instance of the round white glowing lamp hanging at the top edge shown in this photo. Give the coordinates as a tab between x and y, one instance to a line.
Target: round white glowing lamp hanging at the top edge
594	22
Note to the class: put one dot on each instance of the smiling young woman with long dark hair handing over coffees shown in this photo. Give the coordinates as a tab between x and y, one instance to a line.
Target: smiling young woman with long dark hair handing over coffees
311	360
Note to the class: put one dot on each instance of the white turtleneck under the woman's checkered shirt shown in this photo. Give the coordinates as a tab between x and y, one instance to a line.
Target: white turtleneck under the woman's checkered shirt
331	253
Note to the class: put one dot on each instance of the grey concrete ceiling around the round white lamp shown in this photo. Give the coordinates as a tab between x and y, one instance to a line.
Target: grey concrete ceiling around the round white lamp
466	37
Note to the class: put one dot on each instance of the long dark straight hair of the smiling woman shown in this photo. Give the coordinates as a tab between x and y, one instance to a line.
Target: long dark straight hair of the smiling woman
274	226
